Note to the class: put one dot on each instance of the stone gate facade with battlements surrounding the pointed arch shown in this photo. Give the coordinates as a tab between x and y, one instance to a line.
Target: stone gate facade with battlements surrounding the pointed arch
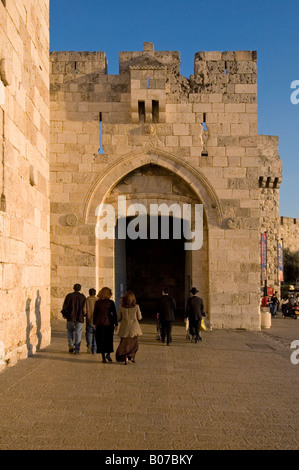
203	130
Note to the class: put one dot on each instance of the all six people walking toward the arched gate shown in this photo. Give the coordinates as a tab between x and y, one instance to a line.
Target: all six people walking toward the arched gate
102	321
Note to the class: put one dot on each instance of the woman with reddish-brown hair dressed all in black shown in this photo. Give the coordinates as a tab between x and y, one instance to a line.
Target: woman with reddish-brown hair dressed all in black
105	323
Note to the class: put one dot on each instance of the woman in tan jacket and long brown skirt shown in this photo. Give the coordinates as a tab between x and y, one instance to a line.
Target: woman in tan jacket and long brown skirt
129	315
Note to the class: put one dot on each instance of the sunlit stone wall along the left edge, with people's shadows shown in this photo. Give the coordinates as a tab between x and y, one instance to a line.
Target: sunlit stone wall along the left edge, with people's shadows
24	178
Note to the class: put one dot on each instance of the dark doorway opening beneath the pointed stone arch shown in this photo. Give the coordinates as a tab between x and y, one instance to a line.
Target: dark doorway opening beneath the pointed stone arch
147	265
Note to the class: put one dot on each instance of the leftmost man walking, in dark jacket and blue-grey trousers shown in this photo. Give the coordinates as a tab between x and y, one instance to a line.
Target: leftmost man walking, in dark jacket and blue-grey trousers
72	311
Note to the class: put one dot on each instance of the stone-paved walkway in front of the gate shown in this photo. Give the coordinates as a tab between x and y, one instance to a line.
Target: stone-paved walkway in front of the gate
235	390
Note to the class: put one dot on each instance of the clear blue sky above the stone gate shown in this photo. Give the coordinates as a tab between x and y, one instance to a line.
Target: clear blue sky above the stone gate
270	27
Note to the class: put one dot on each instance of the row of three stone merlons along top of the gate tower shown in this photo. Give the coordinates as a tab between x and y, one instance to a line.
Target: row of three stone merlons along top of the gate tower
212	64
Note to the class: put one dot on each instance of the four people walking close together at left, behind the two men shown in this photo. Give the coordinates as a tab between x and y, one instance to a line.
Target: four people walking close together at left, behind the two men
101	323
